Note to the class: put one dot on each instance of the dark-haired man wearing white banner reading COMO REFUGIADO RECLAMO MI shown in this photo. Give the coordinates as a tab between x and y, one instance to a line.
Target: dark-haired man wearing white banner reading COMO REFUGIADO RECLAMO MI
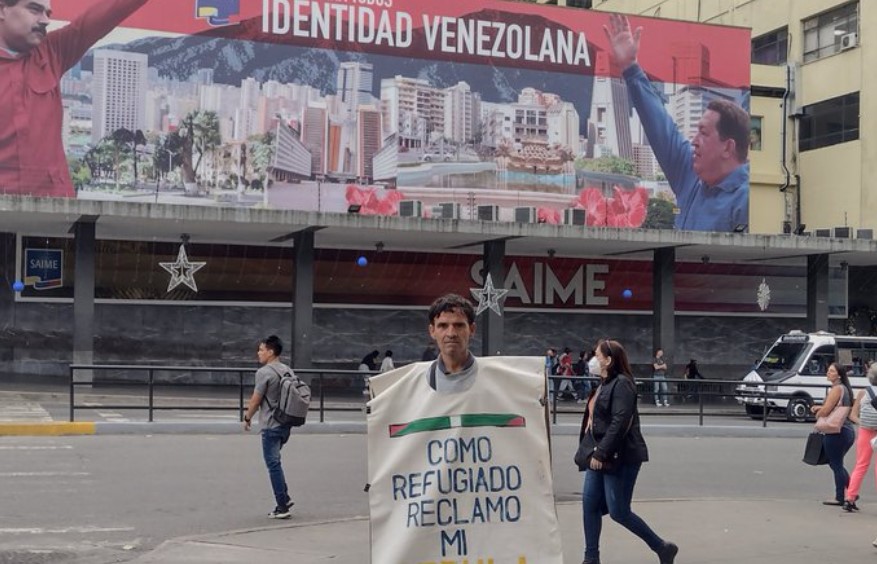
448	477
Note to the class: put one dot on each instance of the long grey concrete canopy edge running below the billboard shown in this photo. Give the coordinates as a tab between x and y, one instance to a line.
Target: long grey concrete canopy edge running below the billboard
137	221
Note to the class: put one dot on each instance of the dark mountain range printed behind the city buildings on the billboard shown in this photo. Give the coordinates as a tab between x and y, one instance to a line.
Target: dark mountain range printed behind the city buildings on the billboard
236	58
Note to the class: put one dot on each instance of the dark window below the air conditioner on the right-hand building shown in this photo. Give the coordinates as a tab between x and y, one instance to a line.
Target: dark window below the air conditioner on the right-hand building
829	123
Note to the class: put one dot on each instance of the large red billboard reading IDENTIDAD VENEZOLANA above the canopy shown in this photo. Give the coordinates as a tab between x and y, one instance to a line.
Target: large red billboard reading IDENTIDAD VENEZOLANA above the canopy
473	109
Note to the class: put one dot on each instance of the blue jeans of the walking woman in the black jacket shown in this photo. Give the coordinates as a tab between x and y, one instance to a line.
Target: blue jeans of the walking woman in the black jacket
612	493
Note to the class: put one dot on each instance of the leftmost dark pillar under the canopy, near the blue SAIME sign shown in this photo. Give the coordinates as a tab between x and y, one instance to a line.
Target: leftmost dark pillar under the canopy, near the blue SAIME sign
83	298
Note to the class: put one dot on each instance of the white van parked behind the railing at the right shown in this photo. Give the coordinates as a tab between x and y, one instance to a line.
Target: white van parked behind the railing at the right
802	358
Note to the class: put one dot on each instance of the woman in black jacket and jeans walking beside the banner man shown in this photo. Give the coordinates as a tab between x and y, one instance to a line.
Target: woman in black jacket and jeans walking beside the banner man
611	452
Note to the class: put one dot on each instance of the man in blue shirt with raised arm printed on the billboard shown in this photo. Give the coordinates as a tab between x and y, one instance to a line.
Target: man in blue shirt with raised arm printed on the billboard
710	173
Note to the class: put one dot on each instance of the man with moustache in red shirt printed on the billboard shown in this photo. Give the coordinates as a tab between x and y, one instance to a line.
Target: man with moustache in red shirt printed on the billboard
32	62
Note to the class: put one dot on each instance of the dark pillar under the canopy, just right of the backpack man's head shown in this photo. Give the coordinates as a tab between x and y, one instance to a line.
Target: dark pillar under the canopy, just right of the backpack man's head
303	299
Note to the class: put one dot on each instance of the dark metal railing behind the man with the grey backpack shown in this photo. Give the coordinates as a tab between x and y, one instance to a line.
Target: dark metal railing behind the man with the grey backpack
245	379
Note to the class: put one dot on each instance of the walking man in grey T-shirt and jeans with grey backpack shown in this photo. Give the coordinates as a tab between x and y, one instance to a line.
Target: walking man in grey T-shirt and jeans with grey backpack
266	397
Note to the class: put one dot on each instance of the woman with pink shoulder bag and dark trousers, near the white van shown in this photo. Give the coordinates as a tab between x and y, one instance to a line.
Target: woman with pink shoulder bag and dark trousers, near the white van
832	420
